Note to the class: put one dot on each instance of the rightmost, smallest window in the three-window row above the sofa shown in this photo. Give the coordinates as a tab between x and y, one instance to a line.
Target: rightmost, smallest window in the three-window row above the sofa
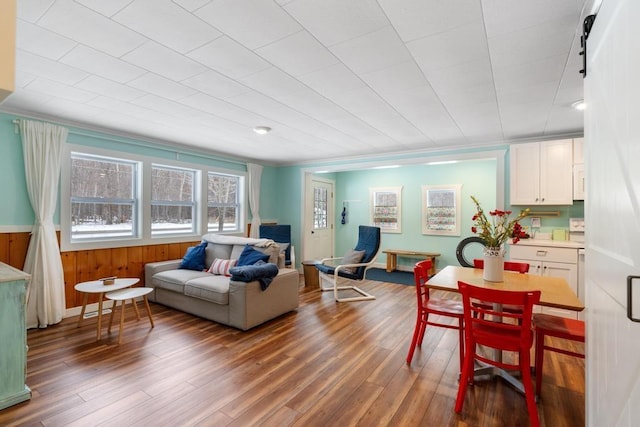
223	208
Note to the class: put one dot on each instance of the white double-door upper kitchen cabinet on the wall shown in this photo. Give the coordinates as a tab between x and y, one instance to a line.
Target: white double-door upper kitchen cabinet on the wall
541	173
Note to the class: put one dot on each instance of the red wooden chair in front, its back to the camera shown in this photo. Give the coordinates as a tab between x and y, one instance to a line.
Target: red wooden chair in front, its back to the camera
500	332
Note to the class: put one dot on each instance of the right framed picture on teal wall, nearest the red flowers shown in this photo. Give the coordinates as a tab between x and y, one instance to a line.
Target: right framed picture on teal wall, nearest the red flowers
441	209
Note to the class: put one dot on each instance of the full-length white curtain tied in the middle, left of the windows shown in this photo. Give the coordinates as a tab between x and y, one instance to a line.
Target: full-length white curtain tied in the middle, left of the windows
43	145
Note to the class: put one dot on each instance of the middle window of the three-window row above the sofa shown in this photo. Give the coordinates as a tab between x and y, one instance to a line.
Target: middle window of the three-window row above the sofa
173	204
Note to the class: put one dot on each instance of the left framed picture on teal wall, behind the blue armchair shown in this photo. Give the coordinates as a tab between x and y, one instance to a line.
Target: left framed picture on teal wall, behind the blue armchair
386	207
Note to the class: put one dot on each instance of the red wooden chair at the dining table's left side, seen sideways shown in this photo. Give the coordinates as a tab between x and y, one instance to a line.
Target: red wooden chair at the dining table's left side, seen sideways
427	306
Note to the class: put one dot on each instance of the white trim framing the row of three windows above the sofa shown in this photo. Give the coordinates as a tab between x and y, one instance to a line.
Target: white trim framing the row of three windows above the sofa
145	237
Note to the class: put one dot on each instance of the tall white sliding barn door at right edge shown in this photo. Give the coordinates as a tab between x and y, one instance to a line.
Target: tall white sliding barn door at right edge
612	213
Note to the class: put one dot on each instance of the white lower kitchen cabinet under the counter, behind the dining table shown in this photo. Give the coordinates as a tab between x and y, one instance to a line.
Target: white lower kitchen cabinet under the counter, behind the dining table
550	261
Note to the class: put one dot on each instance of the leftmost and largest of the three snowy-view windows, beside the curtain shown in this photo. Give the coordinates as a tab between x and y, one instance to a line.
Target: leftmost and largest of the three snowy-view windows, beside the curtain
104	198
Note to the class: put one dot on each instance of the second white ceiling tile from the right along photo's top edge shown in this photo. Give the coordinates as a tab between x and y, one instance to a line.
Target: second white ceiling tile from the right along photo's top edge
415	19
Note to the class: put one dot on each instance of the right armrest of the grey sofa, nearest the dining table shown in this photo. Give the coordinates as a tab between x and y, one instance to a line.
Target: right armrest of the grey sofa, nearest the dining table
249	305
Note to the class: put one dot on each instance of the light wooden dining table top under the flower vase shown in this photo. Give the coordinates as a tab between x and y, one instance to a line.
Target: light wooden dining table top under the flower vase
555	291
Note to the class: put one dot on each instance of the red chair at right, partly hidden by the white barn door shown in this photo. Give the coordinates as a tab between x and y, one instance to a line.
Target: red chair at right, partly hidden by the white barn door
547	325
